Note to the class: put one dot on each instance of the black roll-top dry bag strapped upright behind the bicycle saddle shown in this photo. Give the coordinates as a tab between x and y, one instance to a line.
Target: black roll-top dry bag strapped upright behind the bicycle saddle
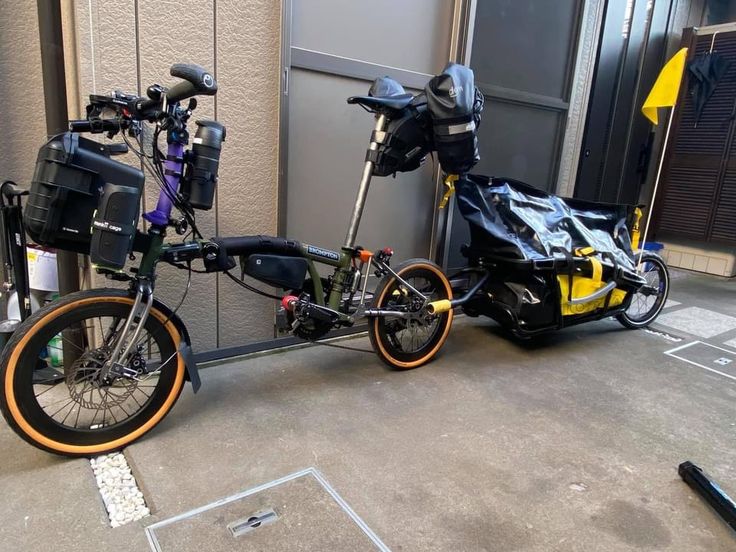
454	104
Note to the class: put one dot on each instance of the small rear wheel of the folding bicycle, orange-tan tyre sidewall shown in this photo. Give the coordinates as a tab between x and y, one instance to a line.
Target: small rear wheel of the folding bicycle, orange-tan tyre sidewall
408	342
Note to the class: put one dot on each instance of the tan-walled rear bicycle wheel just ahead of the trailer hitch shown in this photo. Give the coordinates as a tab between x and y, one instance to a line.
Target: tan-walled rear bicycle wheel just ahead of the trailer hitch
383	331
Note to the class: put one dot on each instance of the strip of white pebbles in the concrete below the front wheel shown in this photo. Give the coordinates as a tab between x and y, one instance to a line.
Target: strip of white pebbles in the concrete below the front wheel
120	493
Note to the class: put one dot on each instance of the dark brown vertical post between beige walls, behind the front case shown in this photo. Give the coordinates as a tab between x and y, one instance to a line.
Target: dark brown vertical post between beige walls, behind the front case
57	117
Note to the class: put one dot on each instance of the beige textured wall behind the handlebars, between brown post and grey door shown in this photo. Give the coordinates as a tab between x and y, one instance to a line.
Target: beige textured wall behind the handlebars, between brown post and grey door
128	45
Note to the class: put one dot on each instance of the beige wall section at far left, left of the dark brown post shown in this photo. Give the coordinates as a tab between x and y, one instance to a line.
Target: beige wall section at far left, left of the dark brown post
22	115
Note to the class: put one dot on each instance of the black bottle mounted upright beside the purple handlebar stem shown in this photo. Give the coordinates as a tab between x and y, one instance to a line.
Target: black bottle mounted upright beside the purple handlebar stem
201	178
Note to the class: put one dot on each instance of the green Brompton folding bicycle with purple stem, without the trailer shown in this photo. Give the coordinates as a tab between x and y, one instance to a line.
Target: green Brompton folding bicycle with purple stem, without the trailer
125	354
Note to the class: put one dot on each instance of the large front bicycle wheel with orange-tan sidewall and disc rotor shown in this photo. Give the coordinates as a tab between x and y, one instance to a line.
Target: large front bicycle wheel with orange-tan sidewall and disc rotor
22	406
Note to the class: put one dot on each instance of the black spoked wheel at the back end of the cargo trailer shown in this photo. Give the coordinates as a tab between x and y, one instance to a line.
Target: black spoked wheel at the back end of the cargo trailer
645	307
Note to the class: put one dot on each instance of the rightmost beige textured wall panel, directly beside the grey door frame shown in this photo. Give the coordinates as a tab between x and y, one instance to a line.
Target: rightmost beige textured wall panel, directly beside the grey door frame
248	58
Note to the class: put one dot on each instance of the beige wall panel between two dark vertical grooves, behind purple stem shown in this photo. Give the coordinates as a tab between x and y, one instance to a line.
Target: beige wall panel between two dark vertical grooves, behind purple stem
177	31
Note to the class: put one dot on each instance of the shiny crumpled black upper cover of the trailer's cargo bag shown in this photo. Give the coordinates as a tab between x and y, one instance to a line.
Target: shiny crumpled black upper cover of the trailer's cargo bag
513	219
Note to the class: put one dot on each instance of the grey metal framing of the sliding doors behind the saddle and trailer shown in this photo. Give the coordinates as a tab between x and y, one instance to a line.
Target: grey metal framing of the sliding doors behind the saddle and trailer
570	135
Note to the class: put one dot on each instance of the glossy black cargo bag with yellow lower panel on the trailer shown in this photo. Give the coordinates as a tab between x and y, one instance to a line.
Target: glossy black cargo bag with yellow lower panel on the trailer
513	221
